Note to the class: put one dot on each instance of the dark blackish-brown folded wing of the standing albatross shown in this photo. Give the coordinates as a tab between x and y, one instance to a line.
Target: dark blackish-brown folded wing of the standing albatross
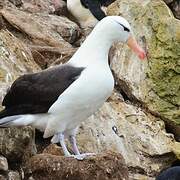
35	93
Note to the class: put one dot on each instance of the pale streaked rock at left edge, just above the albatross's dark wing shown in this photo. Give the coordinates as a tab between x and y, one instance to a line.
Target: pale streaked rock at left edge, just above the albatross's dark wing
15	59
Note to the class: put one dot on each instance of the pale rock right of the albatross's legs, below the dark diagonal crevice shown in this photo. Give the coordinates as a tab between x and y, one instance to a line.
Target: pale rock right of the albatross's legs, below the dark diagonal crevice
124	128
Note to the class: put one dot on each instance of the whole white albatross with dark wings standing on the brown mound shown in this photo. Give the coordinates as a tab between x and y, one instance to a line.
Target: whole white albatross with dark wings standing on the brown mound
58	99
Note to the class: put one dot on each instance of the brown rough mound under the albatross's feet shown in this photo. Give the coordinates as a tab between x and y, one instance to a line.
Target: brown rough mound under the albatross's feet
107	166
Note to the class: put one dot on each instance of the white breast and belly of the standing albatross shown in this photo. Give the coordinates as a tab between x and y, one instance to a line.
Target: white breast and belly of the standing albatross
85	96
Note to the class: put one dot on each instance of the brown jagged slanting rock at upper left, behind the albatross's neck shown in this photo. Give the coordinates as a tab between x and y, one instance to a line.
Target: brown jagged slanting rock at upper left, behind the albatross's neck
48	36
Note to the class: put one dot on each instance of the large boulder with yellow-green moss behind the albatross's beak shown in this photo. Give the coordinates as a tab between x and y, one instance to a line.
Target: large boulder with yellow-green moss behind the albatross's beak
153	83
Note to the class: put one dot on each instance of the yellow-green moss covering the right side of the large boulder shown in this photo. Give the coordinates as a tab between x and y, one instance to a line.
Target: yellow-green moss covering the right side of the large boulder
164	63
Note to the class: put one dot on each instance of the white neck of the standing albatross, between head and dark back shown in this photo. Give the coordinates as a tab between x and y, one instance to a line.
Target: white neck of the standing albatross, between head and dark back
95	48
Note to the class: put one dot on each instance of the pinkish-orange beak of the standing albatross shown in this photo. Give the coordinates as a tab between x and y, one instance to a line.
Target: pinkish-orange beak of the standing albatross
132	43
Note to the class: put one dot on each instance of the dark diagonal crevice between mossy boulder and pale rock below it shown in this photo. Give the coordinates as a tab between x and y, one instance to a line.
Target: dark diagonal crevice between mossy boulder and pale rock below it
125	90
